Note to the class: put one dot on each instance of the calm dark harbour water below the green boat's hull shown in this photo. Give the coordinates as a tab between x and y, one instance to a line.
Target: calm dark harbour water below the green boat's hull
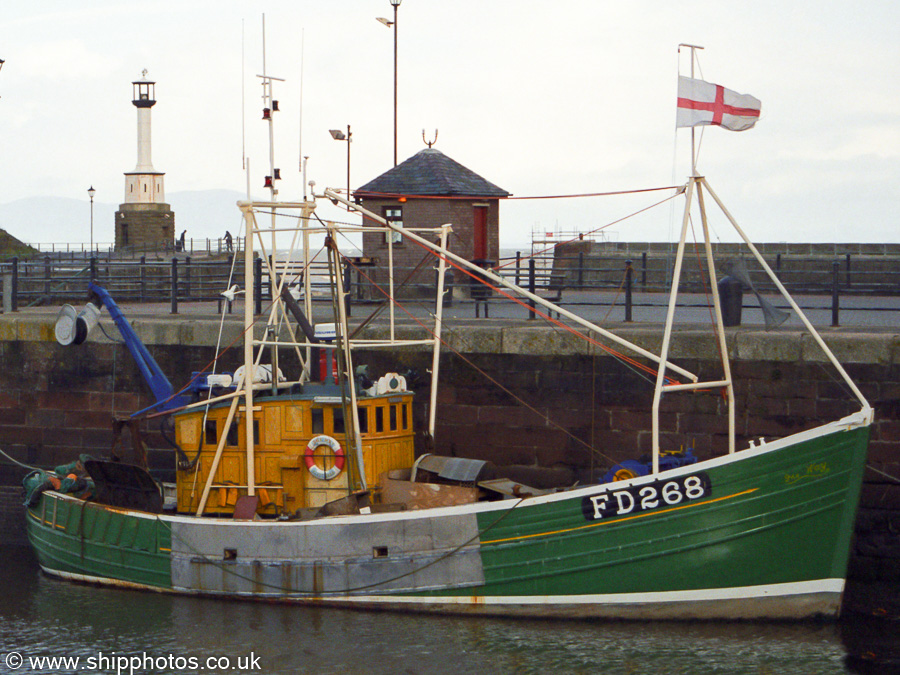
44	617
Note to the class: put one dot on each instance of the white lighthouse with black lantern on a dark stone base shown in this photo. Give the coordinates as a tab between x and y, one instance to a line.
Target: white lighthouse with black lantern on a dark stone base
144	220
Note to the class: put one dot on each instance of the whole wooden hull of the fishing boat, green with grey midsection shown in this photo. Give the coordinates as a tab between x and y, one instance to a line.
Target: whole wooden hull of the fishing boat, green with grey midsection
762	533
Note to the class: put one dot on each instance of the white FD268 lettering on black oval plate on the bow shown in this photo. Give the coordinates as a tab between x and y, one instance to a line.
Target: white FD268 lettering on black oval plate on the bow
624	501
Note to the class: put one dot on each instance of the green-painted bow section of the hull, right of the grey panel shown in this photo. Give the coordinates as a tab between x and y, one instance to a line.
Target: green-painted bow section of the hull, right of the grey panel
780	517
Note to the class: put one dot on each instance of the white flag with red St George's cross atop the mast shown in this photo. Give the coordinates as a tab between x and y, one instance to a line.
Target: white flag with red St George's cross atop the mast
701	103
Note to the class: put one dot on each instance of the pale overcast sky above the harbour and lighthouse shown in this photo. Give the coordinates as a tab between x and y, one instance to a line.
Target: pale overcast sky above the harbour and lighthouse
540	98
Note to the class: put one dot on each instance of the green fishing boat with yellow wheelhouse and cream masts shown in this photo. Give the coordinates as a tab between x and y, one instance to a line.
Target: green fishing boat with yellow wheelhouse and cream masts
307	489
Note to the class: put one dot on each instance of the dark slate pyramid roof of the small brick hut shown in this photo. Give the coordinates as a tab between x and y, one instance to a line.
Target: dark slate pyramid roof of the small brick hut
430	172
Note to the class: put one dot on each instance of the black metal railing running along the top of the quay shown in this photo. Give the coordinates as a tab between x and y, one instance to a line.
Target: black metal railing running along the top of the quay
582	280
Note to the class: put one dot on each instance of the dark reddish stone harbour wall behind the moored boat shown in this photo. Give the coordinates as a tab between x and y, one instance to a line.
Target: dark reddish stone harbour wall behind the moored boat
551	407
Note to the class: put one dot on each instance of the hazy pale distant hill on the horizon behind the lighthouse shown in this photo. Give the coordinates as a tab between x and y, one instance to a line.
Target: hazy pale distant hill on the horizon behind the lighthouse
61	220
